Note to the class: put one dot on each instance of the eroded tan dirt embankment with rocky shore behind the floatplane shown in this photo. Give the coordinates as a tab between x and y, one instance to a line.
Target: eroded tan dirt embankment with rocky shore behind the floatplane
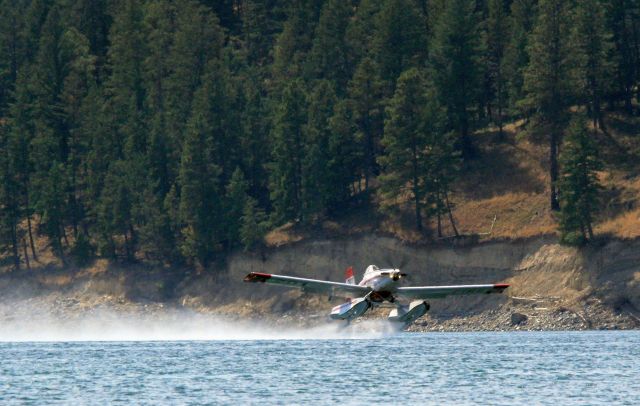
553	287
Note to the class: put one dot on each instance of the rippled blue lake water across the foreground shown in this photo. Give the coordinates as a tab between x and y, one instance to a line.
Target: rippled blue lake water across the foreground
560	368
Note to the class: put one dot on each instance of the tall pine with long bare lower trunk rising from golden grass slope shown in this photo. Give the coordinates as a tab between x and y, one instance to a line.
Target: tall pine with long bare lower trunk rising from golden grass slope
547	81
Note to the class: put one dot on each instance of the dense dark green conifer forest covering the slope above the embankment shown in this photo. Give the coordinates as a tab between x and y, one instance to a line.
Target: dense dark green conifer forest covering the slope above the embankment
177	131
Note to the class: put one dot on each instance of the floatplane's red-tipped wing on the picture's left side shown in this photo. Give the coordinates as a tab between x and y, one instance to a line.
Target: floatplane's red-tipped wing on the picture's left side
309	285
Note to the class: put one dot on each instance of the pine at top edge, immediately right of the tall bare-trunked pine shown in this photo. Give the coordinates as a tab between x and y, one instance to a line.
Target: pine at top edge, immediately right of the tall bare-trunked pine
593	47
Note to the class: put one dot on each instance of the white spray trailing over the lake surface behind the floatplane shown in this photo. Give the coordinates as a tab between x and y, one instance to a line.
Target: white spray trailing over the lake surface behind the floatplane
171	325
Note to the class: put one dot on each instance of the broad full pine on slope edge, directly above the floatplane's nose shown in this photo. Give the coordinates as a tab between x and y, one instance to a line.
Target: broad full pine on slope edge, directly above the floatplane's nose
406	136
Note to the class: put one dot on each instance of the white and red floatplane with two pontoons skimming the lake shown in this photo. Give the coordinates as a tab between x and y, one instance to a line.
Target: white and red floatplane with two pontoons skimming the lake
378	287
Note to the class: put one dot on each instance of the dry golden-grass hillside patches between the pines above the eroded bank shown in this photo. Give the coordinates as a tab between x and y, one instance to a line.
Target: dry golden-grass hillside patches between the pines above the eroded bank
508	182
